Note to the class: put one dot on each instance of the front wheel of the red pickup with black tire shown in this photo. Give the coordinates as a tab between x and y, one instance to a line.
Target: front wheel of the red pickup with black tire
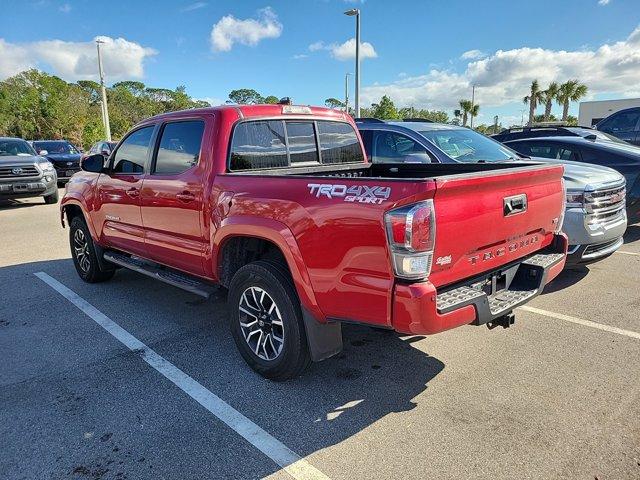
86	263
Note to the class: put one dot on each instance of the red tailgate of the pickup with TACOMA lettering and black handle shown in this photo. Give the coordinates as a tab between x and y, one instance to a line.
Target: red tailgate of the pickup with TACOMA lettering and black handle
486	220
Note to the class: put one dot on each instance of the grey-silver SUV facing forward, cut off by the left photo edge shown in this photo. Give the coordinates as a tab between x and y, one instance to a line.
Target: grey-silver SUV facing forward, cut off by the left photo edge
25	174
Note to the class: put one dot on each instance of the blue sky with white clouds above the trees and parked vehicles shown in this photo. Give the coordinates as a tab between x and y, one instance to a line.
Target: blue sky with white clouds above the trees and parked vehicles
425	54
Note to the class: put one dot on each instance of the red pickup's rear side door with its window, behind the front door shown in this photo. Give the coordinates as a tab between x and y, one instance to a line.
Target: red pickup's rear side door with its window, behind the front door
172	197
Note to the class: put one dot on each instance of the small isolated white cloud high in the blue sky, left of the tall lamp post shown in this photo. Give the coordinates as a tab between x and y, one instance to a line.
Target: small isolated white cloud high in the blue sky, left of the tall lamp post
230	30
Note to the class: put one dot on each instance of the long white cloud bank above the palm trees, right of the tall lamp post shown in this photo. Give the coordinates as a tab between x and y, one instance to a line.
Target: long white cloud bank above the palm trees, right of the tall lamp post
505	76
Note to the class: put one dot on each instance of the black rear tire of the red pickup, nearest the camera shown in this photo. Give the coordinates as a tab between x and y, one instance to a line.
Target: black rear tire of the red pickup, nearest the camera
274	279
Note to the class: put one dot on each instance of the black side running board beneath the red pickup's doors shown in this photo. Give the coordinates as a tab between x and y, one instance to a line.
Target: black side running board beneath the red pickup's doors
162	273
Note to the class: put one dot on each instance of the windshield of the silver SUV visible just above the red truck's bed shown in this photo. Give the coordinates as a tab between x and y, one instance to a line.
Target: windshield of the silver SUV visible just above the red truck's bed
465	145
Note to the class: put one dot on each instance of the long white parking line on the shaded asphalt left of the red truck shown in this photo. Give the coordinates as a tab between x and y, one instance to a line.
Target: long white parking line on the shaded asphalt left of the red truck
291	462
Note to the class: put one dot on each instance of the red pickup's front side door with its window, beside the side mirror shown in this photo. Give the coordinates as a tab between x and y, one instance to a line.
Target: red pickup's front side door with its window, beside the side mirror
118	216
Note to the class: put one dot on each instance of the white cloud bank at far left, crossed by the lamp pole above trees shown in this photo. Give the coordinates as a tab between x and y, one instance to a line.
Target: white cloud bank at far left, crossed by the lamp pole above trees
121	58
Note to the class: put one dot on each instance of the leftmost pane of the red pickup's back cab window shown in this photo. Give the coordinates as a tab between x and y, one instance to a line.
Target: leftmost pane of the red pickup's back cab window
259	145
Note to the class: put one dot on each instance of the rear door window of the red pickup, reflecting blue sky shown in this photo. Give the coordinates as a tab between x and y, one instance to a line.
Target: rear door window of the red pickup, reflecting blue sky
179	148
